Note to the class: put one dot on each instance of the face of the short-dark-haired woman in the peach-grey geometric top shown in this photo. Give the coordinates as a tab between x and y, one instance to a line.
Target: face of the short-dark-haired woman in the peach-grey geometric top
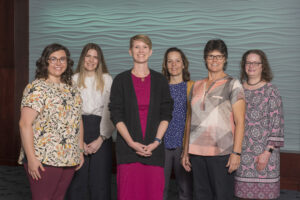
215	61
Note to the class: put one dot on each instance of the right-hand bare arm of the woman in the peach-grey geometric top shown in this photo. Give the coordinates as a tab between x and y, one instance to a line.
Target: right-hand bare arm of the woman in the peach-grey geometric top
239	120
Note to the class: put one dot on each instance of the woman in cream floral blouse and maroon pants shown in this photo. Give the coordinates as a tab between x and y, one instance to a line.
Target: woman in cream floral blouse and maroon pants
50	125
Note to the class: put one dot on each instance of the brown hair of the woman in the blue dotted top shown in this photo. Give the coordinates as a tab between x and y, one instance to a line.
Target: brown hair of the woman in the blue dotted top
185	71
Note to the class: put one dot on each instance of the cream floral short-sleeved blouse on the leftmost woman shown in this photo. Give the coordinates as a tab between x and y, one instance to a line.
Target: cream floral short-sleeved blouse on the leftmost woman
56	128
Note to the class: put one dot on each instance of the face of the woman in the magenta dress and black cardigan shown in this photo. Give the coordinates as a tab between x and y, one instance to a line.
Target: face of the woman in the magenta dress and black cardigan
140	51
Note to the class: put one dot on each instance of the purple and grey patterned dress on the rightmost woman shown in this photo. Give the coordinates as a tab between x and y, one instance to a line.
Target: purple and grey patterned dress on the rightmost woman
263	126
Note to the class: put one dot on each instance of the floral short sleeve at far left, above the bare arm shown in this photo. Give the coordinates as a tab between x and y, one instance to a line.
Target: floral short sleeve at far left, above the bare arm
33	97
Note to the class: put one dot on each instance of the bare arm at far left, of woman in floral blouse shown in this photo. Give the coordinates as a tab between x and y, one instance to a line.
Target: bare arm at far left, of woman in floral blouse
28	115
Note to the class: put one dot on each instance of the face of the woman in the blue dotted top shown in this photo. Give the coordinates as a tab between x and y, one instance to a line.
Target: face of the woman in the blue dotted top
174	63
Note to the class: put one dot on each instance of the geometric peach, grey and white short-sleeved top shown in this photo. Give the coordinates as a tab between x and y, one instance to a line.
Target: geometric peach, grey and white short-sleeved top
212	125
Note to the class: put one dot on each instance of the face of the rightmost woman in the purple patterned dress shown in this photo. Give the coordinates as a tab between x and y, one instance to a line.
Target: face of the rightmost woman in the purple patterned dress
253	66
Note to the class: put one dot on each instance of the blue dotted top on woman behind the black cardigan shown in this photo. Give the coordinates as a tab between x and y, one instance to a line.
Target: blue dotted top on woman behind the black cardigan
174	134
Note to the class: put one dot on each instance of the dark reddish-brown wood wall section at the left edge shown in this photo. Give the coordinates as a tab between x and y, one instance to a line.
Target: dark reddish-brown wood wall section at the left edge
14	52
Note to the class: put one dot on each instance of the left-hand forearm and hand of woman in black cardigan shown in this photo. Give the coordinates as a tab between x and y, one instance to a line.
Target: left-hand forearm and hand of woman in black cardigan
138	147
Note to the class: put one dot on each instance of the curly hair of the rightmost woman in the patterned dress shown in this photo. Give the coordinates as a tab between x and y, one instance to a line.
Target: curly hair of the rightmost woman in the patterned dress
266	73
